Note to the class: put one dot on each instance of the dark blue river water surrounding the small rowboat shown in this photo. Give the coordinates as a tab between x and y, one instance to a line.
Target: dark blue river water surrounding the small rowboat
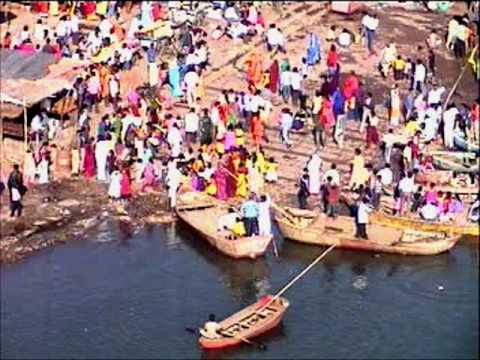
131	295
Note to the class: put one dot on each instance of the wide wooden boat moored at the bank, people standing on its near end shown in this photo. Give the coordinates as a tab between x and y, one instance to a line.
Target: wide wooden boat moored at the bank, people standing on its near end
201	212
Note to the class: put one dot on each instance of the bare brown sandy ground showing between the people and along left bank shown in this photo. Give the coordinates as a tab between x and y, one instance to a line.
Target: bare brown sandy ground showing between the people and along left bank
75	205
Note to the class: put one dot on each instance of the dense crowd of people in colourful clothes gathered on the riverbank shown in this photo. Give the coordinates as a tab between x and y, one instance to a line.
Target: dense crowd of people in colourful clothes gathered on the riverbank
142	143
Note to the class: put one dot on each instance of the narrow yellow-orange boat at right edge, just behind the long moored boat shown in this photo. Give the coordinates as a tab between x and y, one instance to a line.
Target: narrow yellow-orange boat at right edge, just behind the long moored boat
417	224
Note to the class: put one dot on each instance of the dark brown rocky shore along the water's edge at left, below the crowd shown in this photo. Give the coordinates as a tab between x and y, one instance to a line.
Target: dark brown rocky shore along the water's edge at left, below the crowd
71	210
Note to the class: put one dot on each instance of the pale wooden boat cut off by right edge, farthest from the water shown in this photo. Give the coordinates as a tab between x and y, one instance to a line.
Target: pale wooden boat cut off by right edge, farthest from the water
456	161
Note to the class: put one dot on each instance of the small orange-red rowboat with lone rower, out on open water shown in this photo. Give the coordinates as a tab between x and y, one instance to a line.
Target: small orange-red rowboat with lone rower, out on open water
248	323
